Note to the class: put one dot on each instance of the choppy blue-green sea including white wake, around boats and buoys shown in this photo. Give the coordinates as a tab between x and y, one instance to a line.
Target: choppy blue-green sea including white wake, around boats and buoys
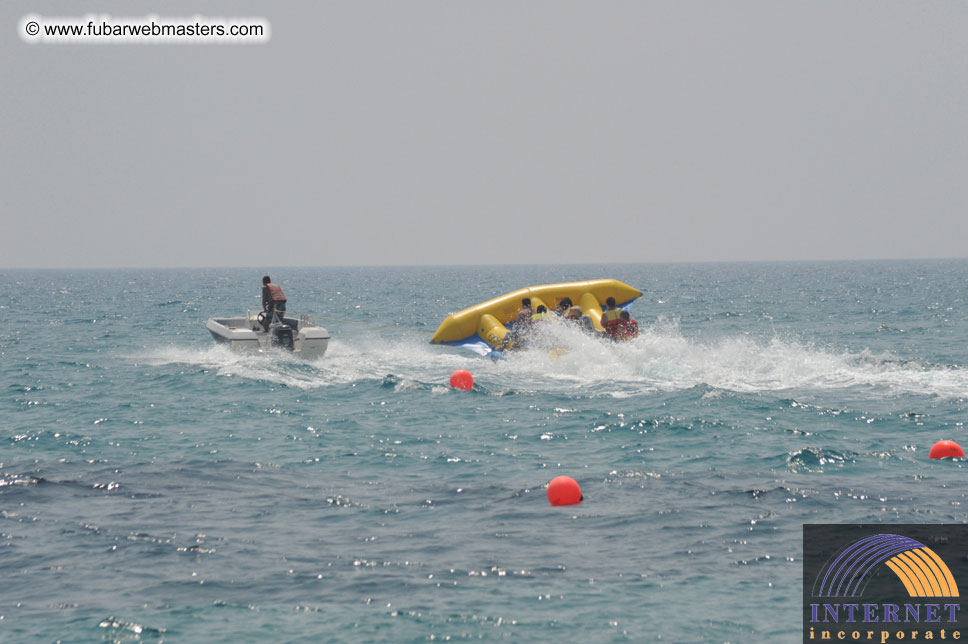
155	487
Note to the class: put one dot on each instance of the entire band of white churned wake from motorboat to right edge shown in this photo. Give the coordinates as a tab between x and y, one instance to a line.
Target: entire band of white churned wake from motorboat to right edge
564	359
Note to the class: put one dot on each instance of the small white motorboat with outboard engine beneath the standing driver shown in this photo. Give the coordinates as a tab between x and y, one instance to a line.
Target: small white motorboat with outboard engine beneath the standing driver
298	335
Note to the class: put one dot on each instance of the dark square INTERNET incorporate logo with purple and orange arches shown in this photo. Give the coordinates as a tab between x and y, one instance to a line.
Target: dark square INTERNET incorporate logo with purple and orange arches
862	583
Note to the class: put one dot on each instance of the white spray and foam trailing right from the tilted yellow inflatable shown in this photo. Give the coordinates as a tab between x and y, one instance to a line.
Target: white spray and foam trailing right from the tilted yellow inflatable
662	358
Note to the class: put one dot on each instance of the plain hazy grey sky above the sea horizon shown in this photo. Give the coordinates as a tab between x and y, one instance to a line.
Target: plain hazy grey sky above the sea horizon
499	132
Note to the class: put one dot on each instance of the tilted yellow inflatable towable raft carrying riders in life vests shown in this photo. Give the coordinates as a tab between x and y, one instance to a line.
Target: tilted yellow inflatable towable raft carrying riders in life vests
483	327
